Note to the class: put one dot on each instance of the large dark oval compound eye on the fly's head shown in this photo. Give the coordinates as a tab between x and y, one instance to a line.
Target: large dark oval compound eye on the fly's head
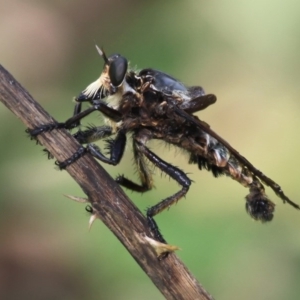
117	69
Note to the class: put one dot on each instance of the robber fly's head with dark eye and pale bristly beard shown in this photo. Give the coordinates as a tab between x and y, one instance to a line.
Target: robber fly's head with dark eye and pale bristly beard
111	80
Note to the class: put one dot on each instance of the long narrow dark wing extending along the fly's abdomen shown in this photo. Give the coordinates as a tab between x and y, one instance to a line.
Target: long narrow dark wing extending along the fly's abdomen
268	181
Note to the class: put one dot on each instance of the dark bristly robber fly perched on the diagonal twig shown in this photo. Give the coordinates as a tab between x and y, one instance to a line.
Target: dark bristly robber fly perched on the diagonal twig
150	104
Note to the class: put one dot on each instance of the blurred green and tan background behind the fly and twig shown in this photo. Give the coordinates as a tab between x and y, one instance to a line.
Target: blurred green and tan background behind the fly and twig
245	52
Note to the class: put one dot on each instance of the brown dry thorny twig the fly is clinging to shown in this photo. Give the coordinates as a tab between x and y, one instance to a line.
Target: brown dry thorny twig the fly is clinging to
109	202
